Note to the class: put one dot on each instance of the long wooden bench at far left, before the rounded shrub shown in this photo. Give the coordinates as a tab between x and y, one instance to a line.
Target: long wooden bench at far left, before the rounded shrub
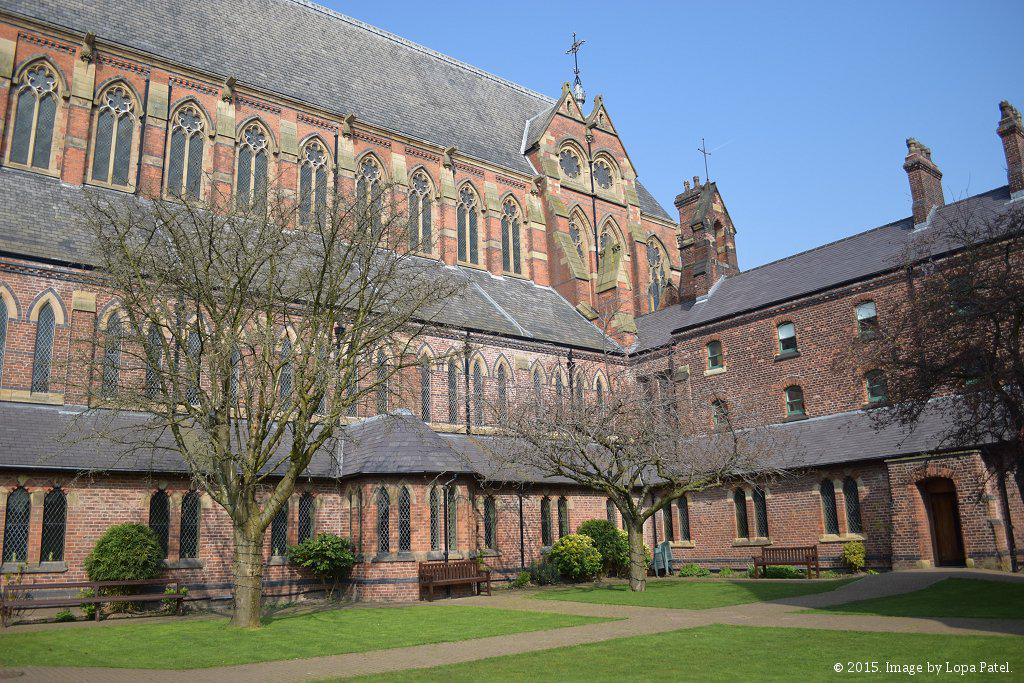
10	601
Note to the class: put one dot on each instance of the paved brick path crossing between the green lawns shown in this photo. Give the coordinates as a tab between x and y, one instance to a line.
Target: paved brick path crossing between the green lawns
632	622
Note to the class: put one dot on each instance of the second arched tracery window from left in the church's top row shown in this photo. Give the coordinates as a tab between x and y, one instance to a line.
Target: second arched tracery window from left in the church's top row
114	138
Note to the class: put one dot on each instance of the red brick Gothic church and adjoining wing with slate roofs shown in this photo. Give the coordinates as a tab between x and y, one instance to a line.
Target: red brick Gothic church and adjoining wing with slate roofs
153	100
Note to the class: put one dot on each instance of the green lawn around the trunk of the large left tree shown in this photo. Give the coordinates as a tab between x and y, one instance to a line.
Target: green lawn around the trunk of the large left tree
197	644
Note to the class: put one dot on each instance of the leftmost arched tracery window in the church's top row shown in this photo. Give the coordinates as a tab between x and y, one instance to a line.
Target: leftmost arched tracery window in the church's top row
35	117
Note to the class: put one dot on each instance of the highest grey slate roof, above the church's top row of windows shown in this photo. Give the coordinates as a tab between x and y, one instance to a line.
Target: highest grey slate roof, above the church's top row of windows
316	56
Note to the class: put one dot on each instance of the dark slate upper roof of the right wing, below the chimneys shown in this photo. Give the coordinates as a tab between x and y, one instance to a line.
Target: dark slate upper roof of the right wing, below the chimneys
833	265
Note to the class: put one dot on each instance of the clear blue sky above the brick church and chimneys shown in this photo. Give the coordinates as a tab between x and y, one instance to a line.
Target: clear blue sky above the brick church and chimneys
806	106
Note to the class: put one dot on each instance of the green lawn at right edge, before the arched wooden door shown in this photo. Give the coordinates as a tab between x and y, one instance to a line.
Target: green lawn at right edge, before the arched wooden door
950	597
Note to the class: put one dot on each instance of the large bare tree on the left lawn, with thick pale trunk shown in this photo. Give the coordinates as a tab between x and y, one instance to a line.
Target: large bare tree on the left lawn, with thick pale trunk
247	333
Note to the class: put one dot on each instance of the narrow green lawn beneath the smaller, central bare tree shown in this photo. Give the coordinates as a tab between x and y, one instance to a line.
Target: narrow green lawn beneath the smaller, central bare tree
681	594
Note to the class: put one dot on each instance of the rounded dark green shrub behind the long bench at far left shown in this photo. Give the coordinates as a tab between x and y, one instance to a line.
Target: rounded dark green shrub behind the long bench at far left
125	552
